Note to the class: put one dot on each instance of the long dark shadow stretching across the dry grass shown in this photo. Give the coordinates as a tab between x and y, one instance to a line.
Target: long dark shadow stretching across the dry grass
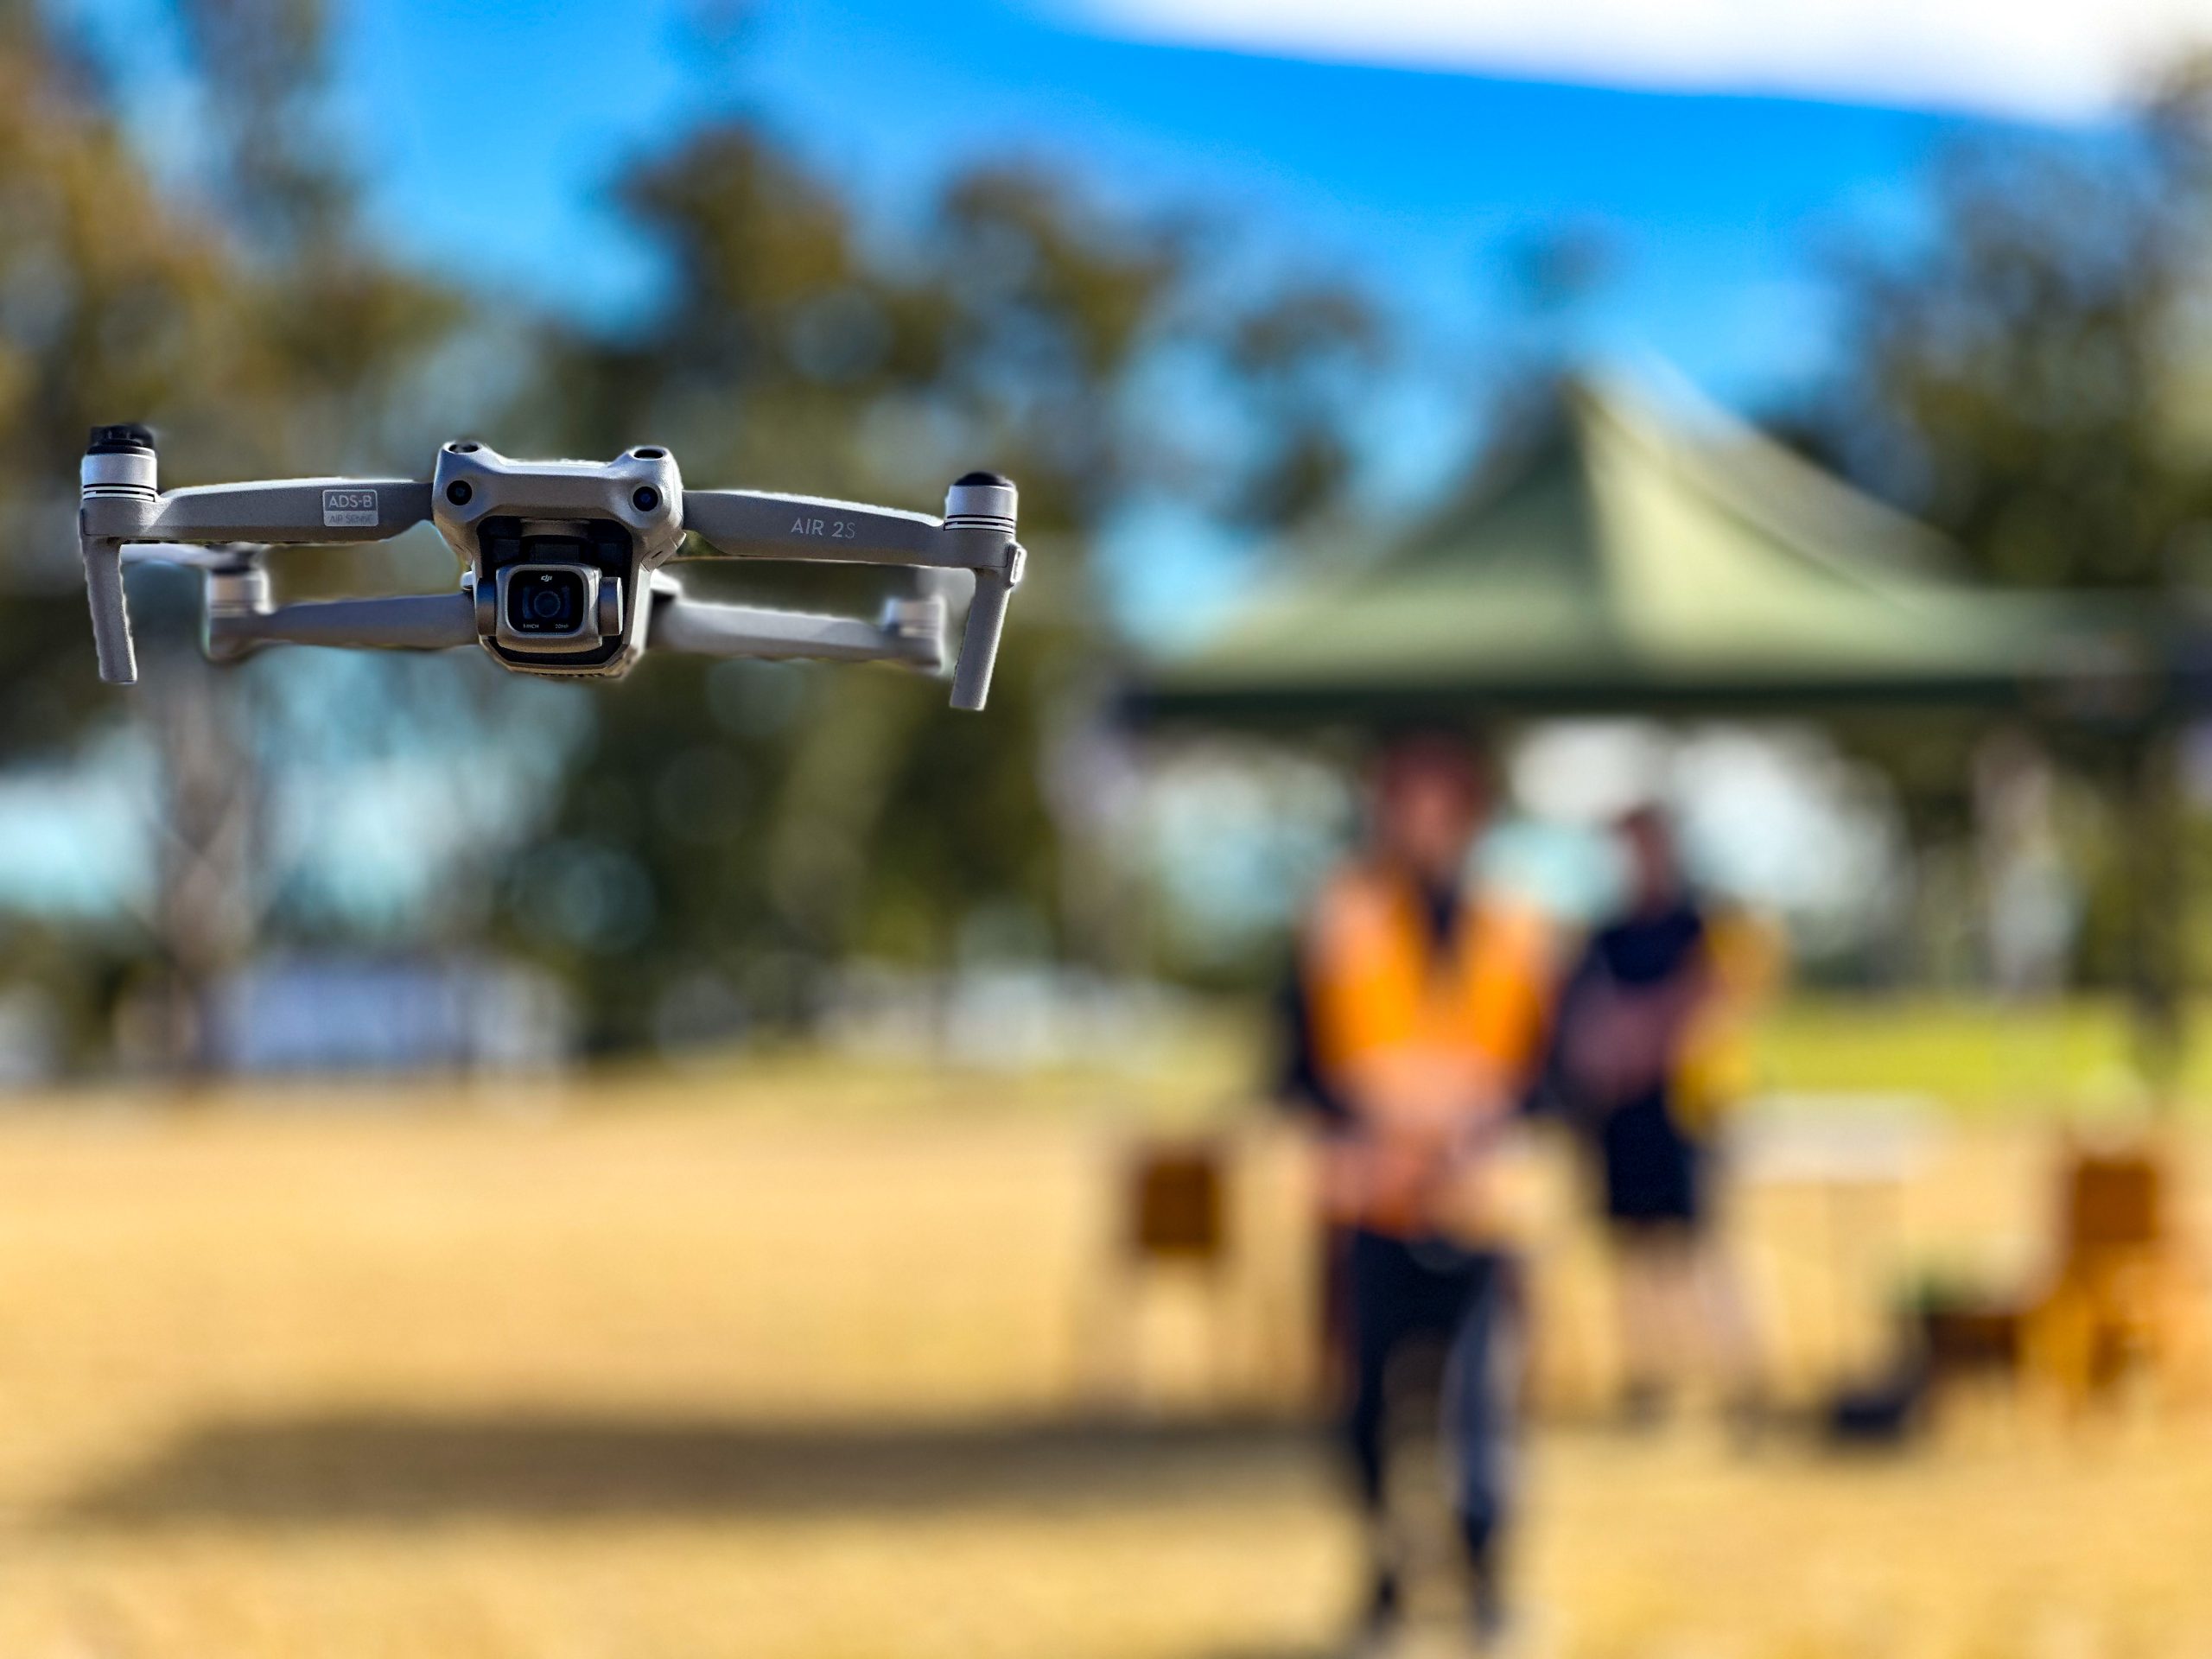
397	1470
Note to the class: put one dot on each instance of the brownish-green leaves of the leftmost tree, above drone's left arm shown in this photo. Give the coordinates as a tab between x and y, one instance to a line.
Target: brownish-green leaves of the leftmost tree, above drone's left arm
121	302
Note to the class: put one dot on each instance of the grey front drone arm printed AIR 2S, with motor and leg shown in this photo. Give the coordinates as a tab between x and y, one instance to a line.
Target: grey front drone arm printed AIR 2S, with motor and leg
977	534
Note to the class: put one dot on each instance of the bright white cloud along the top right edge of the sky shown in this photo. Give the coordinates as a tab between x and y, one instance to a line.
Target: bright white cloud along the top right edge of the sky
2038	59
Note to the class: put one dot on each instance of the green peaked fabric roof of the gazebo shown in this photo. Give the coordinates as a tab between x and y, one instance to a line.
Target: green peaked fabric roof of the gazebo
1636	559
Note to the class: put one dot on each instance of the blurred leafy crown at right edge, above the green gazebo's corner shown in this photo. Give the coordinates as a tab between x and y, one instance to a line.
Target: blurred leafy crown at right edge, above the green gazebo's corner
2023	373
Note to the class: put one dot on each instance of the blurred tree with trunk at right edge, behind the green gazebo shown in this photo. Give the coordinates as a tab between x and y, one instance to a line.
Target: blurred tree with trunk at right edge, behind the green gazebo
2027	377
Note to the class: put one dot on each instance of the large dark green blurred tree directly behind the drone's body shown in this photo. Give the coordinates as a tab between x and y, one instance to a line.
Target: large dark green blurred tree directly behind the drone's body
749	826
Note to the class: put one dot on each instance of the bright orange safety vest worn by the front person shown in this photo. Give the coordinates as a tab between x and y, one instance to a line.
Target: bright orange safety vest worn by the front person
1423	1045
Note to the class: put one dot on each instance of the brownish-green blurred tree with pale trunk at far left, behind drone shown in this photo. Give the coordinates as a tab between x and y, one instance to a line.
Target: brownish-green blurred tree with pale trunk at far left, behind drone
262	335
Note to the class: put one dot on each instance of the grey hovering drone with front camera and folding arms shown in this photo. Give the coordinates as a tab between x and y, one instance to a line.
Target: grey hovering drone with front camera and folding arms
561	563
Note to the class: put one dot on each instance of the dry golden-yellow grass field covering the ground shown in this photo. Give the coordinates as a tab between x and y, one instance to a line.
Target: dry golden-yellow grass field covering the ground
791	1370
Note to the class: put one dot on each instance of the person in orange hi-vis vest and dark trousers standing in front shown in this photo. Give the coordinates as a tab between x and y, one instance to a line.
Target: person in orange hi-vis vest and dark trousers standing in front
1423	1014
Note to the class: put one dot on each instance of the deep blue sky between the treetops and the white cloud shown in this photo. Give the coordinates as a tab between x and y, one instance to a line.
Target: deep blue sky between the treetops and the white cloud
492	138
